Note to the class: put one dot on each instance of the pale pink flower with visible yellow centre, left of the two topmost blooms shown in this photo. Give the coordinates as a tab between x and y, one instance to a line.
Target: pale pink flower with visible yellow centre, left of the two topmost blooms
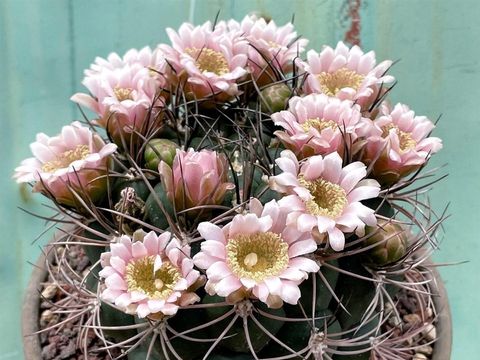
212	61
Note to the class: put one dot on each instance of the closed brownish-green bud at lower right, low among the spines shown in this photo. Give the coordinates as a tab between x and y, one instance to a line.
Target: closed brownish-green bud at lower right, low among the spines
392	243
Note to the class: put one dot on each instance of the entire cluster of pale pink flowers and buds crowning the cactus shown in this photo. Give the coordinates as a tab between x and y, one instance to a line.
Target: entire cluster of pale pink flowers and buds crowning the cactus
240	202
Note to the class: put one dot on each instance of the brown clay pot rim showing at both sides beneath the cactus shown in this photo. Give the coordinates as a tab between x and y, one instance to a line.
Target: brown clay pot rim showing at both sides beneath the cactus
31	303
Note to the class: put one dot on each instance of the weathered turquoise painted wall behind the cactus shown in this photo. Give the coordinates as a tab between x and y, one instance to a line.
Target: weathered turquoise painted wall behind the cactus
46	44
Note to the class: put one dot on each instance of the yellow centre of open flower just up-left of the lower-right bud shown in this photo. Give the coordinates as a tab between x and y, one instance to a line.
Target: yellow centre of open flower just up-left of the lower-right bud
328	199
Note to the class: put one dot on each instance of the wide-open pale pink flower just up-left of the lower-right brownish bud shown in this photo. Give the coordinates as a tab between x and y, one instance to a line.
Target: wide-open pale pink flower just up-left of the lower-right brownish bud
324	196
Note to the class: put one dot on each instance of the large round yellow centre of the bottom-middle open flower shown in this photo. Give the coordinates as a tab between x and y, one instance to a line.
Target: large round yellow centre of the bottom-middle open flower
257	256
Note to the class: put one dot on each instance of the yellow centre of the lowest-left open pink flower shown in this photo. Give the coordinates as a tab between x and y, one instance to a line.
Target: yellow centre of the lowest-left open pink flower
155	284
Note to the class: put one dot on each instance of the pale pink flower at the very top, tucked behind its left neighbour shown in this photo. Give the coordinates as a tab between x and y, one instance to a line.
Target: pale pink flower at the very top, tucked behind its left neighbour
272	48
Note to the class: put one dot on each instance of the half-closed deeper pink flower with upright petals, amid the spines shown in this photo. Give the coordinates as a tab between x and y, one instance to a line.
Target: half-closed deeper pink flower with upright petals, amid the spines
196	178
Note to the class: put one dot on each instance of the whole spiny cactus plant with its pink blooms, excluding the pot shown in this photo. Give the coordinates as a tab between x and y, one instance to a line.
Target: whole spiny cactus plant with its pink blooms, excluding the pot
253	205
